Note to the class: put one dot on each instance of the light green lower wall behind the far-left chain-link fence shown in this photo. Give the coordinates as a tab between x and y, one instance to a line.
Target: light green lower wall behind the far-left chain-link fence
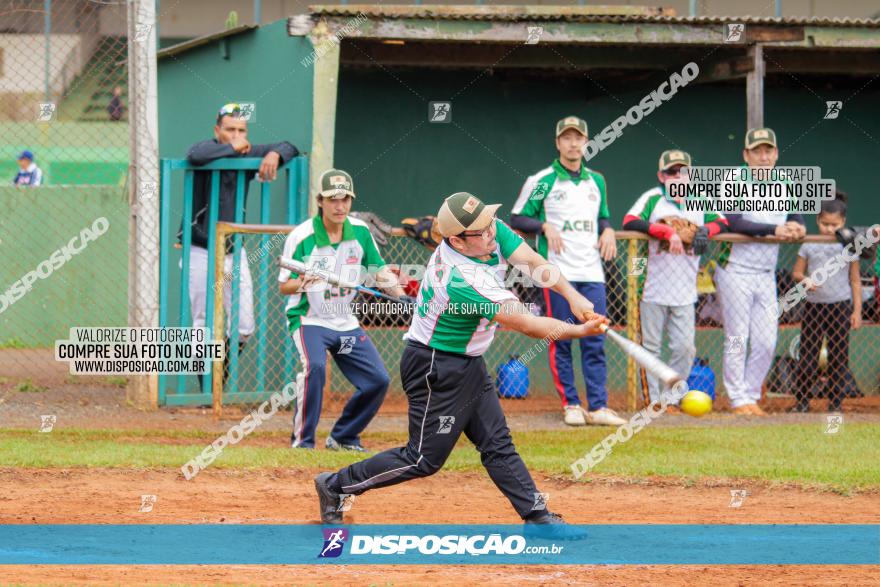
88	290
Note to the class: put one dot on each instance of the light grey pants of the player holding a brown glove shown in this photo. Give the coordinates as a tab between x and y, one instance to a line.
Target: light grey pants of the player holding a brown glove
679	322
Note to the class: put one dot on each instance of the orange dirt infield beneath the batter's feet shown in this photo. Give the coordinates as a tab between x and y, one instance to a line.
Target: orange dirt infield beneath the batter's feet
106	496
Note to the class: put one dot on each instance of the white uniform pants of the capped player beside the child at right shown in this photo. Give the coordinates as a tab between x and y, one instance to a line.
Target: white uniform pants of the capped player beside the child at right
748	304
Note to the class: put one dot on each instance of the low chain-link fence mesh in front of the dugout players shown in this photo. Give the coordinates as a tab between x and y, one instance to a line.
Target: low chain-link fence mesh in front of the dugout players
272	359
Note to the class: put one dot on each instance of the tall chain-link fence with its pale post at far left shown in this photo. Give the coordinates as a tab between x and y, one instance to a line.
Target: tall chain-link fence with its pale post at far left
79	173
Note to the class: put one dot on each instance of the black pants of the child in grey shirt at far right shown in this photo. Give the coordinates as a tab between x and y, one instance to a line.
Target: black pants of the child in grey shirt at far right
817	322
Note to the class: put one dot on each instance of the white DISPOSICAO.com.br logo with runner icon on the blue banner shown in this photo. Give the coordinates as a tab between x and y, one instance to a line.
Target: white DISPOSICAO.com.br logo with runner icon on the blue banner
452	544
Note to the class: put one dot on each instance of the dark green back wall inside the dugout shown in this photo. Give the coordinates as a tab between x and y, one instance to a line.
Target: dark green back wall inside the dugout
502	131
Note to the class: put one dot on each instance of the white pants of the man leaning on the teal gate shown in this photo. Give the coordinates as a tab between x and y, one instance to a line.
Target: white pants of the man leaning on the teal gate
198	275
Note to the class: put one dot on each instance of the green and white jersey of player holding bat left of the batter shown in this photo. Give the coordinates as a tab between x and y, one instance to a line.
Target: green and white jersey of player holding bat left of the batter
356	252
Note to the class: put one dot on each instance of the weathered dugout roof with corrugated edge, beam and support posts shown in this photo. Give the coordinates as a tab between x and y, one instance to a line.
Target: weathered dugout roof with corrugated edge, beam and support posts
616	47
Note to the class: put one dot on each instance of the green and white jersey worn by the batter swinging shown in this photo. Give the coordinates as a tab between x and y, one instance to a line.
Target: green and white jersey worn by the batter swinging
459	297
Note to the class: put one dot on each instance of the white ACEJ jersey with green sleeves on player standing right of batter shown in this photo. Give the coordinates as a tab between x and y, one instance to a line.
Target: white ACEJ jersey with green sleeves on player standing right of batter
574	206
